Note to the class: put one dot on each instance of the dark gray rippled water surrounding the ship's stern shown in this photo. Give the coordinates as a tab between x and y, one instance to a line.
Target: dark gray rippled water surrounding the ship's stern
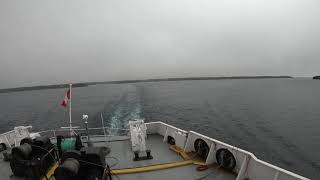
276	119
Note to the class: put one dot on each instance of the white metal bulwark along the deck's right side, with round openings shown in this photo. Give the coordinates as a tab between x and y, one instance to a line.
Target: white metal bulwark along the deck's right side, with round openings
247	166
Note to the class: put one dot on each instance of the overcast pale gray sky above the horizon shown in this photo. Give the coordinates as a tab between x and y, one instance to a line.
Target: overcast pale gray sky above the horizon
46	42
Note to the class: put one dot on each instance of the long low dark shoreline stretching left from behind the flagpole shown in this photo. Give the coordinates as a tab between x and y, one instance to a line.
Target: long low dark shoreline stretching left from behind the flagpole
58	86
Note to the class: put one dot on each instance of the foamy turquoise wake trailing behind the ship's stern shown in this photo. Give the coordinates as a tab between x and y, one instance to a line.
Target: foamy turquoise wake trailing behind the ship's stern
127	108
